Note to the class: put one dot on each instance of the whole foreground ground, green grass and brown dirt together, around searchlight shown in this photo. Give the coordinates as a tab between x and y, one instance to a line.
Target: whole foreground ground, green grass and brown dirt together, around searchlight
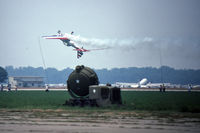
34	110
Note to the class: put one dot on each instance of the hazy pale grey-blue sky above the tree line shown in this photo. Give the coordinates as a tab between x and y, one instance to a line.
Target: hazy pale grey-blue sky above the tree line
139	33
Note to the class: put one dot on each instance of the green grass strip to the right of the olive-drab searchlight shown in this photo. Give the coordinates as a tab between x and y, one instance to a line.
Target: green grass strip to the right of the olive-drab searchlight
156	101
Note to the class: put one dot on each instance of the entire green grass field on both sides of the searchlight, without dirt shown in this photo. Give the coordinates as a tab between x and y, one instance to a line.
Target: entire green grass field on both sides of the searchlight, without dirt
135	100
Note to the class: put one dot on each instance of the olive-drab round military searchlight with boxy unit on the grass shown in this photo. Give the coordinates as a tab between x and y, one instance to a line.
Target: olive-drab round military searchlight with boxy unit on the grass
83	86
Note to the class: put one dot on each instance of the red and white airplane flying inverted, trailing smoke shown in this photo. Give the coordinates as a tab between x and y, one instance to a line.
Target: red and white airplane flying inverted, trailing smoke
67	42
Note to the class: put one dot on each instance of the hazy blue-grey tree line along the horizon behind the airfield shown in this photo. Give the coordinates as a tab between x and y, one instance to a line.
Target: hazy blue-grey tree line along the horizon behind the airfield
132	74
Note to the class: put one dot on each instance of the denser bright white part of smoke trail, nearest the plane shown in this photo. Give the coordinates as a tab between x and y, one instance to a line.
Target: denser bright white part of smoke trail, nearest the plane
109	43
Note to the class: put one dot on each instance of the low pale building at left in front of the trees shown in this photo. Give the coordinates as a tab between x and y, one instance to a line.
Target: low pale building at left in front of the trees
26	81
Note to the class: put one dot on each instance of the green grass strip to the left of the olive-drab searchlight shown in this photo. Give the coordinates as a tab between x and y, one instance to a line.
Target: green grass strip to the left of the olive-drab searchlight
32	99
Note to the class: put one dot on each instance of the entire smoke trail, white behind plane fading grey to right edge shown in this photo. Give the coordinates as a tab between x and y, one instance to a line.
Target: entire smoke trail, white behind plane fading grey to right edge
169	48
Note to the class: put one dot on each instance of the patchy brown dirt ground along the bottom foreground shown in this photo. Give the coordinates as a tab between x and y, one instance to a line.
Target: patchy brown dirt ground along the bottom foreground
75	121
